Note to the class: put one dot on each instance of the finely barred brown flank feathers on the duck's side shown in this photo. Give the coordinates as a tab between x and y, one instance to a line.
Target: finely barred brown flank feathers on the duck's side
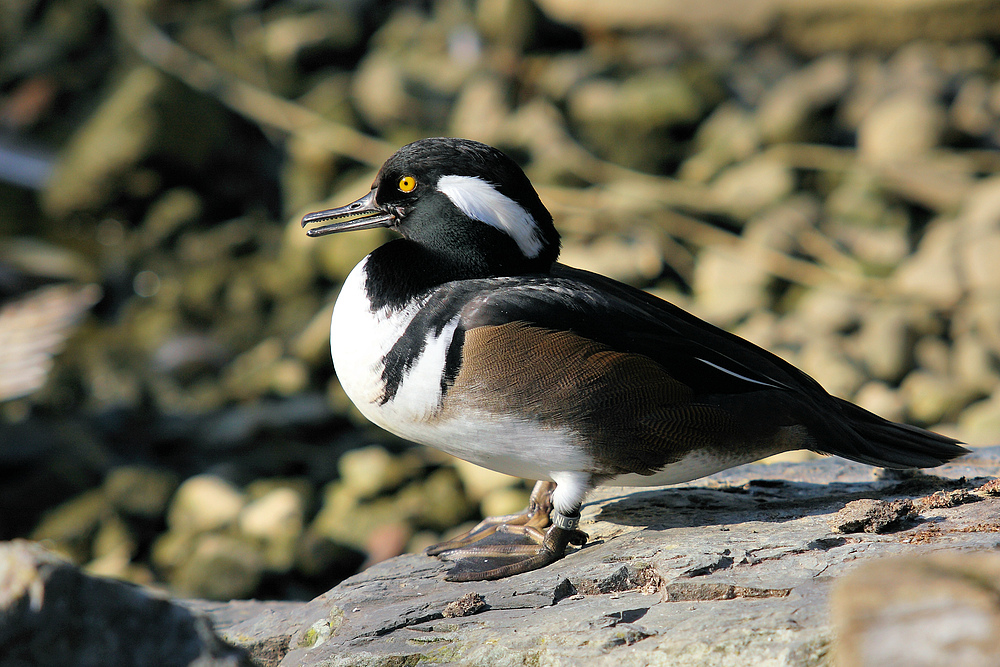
632	416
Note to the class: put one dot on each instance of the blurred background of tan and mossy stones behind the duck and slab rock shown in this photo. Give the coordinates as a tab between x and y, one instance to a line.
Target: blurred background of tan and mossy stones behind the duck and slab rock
820	177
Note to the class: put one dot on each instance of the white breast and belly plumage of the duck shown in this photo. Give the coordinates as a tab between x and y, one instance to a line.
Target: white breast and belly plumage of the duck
360	339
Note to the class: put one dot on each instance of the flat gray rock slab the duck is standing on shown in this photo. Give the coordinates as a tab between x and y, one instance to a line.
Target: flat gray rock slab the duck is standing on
732	569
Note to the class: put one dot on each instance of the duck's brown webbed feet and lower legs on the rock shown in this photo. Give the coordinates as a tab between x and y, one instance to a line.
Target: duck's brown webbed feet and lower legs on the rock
503	546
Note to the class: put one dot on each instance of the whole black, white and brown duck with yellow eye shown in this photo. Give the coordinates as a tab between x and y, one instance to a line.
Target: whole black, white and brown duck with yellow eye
466	335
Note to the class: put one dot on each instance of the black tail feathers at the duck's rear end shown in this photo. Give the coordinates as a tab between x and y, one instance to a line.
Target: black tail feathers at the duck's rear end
868	438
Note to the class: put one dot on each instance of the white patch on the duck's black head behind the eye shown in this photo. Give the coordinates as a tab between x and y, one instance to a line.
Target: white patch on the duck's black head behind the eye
481	201
